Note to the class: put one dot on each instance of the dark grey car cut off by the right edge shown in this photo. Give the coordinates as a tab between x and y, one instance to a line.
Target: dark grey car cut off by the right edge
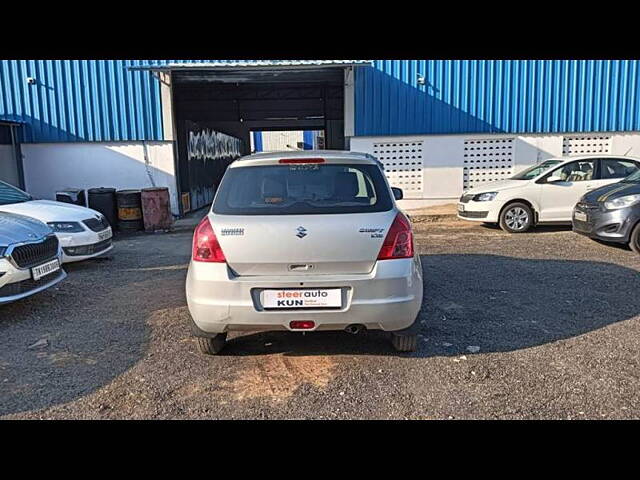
611	213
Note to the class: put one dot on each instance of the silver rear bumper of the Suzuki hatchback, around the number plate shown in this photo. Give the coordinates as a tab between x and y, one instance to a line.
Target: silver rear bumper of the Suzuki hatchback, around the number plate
388	298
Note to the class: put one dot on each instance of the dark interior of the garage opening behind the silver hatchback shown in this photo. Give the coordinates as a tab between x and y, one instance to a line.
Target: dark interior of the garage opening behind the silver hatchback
212	108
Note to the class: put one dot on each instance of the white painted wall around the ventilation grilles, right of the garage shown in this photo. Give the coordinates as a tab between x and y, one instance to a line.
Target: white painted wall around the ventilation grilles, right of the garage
442	158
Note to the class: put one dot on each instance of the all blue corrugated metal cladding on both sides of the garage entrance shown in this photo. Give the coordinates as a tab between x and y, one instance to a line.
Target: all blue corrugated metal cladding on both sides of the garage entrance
101	100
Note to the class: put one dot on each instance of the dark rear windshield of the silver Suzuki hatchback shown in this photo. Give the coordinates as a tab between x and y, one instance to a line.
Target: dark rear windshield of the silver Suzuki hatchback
302	189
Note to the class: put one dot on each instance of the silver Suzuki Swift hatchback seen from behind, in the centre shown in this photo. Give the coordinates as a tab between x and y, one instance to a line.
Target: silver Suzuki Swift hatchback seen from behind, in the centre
304	241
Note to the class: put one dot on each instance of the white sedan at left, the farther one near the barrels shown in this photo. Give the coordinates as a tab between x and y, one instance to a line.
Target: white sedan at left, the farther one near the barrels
83	233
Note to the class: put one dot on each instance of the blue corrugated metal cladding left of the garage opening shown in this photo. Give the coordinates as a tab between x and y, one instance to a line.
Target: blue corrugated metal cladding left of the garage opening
81	100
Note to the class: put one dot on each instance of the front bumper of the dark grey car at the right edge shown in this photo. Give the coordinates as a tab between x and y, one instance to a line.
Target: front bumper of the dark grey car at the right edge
606	225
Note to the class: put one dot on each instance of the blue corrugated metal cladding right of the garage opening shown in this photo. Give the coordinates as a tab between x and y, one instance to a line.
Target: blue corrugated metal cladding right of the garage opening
514	96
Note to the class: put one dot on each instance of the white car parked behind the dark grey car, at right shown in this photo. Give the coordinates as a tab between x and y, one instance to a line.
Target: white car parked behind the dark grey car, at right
544	193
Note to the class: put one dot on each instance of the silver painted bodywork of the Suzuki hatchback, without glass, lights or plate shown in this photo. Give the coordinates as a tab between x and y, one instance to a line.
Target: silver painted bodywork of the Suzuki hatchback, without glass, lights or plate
333	251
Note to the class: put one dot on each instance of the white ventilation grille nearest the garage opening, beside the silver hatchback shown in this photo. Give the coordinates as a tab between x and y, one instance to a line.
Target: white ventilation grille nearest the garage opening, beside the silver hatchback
402	165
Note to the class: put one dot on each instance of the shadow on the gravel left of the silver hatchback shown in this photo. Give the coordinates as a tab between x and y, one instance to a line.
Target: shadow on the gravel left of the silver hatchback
94	322
